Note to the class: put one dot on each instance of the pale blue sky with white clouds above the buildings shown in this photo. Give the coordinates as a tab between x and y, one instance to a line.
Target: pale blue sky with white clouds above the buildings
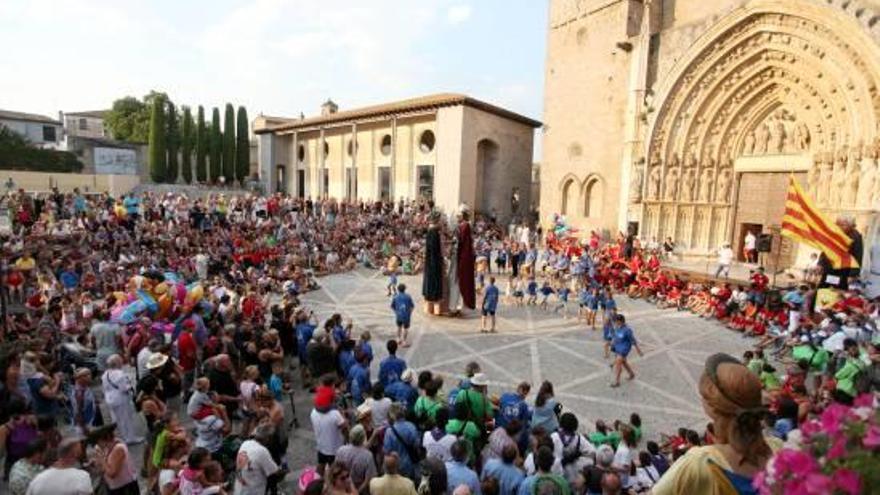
276	57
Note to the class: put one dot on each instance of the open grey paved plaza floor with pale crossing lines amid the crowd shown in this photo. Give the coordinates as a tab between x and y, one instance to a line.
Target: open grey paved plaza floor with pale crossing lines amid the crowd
536	345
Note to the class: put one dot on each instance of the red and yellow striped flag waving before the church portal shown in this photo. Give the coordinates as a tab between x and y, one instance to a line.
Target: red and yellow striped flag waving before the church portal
803	222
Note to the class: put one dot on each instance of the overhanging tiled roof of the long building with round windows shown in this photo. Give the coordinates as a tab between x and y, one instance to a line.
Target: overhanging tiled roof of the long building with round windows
409	105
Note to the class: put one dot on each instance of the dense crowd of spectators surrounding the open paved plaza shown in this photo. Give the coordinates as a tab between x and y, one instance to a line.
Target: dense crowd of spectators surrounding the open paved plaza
176	324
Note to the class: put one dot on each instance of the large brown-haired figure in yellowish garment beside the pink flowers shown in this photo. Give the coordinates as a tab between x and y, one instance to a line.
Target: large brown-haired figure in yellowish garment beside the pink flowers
731	397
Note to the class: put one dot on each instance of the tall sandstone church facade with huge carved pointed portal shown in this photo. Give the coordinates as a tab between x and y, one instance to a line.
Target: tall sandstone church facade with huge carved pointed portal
685	118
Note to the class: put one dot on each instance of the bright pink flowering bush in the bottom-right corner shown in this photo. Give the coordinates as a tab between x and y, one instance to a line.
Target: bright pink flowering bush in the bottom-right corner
837	453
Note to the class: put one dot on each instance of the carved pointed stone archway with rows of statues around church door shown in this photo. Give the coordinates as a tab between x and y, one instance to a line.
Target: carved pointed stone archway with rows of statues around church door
776	85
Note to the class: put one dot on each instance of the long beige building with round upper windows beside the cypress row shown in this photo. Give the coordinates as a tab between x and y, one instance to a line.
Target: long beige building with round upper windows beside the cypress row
447	147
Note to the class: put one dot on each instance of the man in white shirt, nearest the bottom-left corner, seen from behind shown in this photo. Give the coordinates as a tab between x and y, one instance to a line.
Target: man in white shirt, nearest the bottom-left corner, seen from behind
64	478
